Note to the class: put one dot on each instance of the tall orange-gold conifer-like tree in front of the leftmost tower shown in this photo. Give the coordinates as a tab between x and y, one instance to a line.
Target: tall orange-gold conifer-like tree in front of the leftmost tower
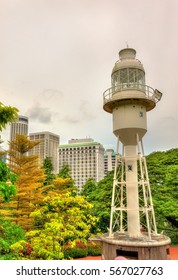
29	181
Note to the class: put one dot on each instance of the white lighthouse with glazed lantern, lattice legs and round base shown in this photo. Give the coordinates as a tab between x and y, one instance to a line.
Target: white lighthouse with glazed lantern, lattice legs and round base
132	220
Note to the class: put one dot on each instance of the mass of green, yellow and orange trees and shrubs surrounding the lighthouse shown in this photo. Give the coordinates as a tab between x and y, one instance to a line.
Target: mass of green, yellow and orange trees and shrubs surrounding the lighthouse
43	217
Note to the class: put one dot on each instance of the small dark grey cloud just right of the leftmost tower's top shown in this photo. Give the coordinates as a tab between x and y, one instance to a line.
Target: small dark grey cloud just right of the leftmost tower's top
39	113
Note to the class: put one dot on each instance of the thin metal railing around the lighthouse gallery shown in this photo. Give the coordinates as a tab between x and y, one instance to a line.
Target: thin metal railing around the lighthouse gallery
149	92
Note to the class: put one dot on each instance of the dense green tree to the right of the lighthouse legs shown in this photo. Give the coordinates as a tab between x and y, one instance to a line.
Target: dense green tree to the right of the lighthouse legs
163	175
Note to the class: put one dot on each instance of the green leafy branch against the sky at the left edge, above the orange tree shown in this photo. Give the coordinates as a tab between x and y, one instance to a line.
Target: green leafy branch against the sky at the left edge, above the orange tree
7	115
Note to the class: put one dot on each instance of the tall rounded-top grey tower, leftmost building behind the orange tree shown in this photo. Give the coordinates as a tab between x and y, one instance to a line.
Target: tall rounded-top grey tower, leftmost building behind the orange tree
20	126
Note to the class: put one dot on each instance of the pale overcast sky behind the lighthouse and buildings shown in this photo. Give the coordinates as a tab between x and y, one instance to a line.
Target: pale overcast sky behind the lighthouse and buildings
56	58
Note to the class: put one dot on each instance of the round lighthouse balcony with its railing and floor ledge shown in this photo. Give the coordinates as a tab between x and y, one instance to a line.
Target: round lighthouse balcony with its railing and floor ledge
144	94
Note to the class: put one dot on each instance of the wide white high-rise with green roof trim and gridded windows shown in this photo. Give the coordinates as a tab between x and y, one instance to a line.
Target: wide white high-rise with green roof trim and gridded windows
85	159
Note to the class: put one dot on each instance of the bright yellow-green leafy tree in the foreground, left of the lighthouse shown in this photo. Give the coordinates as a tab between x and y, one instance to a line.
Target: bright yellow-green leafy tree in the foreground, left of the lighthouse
65	220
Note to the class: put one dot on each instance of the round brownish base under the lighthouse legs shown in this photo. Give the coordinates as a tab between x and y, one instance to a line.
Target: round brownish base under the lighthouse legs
135	248
